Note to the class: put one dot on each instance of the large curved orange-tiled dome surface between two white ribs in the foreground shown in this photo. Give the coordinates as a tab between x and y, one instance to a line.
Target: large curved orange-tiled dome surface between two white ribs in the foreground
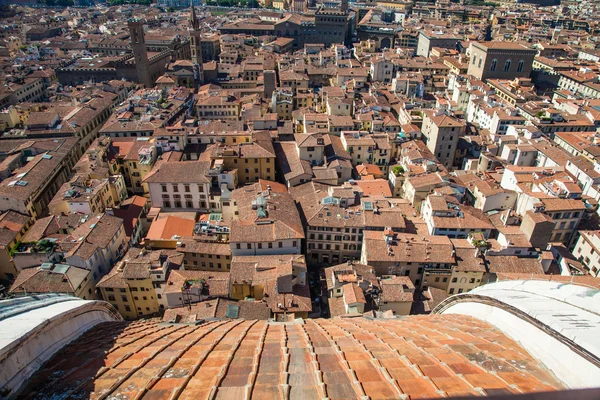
417	356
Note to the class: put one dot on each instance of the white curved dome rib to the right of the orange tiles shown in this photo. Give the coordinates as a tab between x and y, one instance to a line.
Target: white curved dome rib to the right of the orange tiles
542	315
